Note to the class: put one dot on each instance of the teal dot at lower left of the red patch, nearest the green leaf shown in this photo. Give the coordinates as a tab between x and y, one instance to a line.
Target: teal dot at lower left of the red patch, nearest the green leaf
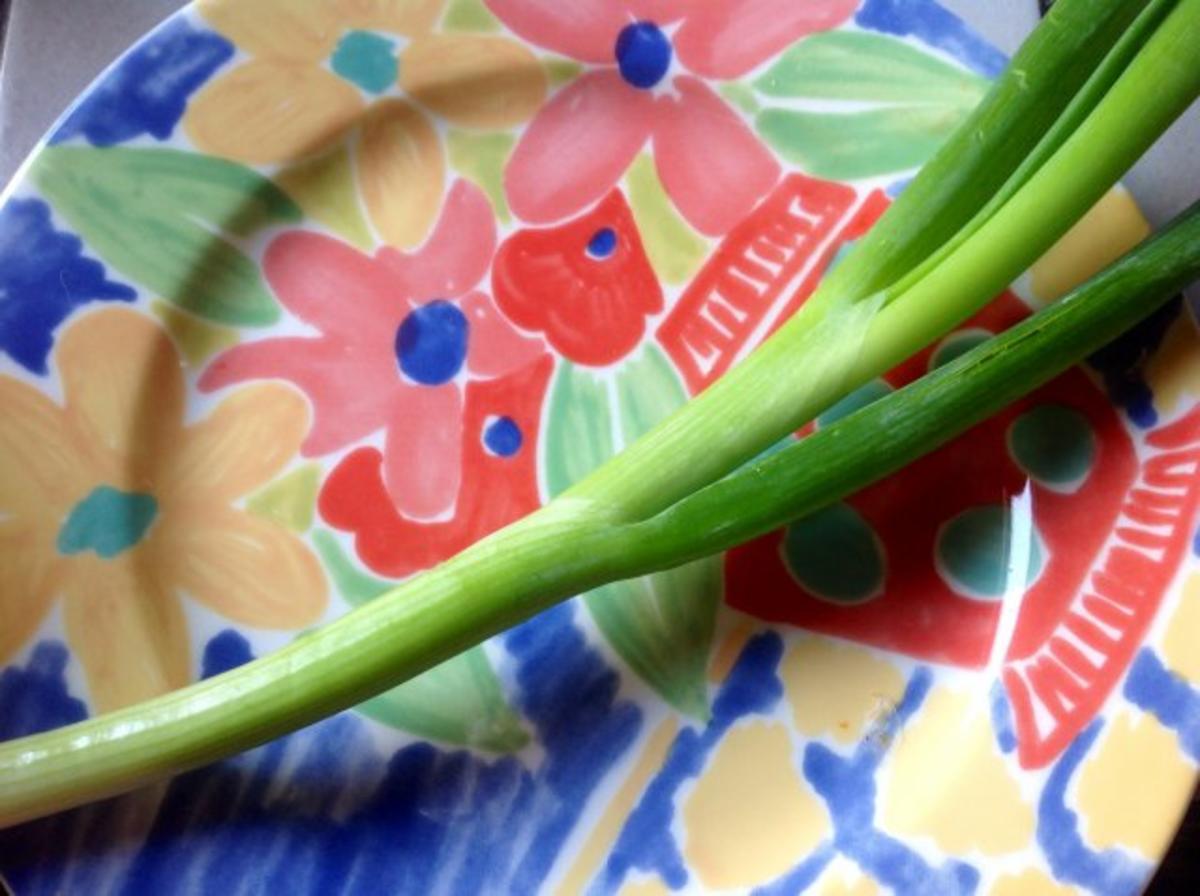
836	555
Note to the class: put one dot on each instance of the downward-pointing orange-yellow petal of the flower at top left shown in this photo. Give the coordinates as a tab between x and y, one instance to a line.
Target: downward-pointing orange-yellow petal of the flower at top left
401	172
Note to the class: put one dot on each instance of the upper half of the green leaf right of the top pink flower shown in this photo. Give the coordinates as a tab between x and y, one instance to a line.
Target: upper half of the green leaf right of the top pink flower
869	68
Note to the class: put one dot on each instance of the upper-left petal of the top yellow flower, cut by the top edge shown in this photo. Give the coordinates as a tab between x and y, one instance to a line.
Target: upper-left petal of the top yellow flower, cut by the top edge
303	31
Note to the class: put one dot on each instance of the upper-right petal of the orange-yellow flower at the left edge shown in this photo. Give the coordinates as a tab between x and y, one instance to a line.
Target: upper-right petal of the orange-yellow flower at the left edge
250	437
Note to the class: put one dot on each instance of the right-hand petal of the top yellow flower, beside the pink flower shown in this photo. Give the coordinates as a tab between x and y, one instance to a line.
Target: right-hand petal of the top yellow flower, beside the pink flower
475	81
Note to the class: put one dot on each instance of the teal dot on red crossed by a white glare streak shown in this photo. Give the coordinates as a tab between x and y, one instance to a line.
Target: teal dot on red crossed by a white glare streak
974	552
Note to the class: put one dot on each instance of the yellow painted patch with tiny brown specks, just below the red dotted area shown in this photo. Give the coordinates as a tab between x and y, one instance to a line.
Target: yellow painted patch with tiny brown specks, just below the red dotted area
838	689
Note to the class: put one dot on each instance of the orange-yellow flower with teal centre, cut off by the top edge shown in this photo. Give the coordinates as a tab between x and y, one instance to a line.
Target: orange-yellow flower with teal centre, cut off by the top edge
314	68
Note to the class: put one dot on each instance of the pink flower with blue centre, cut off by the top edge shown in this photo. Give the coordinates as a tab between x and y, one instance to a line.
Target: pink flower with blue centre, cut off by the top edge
585	139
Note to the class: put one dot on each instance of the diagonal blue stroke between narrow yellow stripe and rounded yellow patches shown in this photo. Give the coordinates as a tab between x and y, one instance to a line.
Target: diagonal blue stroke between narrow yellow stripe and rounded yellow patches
646	843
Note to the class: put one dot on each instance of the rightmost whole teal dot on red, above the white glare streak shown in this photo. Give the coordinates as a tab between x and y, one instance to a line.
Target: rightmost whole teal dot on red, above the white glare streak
1054	446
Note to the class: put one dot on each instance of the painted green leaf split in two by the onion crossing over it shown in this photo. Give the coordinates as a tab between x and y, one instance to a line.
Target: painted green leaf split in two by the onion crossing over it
661	626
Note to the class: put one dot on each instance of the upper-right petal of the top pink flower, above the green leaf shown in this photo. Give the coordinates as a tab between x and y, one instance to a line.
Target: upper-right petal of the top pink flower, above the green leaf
728	40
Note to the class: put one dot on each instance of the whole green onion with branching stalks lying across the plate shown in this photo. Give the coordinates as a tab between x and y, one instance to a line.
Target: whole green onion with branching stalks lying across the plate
1023	170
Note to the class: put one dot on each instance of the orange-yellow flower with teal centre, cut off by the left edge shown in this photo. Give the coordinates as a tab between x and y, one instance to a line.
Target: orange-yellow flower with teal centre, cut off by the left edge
111	503
